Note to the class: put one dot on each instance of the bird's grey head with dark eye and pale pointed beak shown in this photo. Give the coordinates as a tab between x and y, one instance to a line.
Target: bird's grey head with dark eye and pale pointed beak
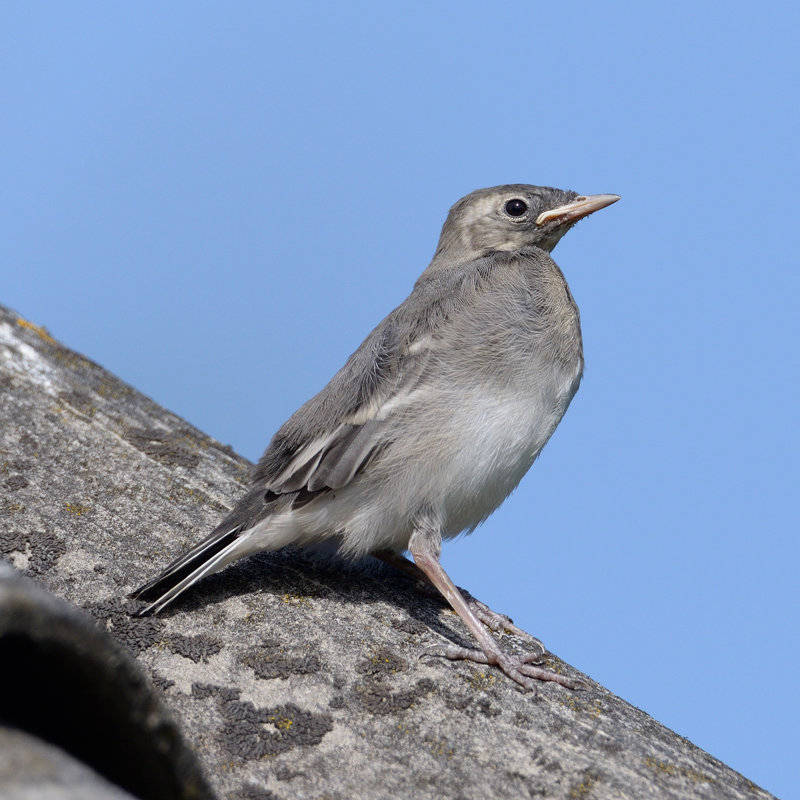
512	217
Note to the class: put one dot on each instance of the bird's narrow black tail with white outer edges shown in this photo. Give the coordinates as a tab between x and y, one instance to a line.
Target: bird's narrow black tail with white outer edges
210	555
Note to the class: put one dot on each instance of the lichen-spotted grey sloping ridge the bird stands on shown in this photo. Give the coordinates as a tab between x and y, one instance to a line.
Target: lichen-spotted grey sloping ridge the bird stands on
289	678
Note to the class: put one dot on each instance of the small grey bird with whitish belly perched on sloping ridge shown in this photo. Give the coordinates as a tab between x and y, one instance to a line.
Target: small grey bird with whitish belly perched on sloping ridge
433	420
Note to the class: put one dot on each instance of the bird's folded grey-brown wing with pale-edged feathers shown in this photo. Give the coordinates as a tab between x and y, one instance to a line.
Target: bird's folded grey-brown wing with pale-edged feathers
325	443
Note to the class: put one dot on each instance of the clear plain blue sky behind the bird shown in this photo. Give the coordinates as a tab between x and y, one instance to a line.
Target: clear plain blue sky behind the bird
217	201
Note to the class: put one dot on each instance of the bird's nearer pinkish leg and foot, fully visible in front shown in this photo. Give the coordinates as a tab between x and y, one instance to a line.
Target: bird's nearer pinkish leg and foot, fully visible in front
425	545
